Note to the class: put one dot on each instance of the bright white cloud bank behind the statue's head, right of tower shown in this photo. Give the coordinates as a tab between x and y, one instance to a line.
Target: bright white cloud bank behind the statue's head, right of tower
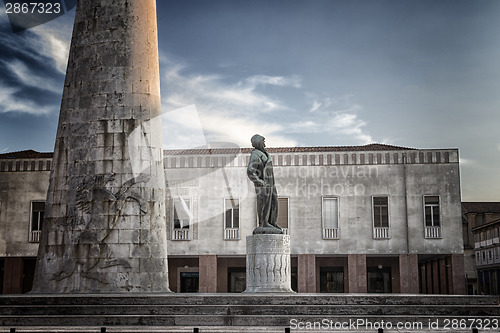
227	111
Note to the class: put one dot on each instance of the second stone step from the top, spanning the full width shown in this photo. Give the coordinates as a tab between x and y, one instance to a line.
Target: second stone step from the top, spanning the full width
252	310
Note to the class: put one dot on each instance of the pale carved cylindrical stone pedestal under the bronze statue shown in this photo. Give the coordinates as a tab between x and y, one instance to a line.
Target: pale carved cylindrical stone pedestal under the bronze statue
268	264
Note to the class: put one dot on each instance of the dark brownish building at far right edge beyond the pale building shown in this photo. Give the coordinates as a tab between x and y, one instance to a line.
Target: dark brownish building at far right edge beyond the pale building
483	220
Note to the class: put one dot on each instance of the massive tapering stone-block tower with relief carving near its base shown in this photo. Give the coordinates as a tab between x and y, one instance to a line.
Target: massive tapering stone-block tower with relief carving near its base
104	229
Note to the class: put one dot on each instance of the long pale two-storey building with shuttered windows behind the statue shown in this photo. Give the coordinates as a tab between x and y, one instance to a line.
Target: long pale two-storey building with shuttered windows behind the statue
373	218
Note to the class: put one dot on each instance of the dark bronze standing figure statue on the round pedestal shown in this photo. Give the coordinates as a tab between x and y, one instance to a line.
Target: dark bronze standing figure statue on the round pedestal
260	172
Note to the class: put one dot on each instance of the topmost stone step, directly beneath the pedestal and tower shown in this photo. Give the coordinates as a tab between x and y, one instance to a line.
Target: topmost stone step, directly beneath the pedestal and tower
247	299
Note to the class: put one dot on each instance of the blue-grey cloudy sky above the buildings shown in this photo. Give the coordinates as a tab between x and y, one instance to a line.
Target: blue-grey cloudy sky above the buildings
412	73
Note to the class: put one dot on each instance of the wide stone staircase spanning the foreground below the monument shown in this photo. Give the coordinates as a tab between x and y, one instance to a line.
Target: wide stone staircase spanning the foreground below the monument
246	313
